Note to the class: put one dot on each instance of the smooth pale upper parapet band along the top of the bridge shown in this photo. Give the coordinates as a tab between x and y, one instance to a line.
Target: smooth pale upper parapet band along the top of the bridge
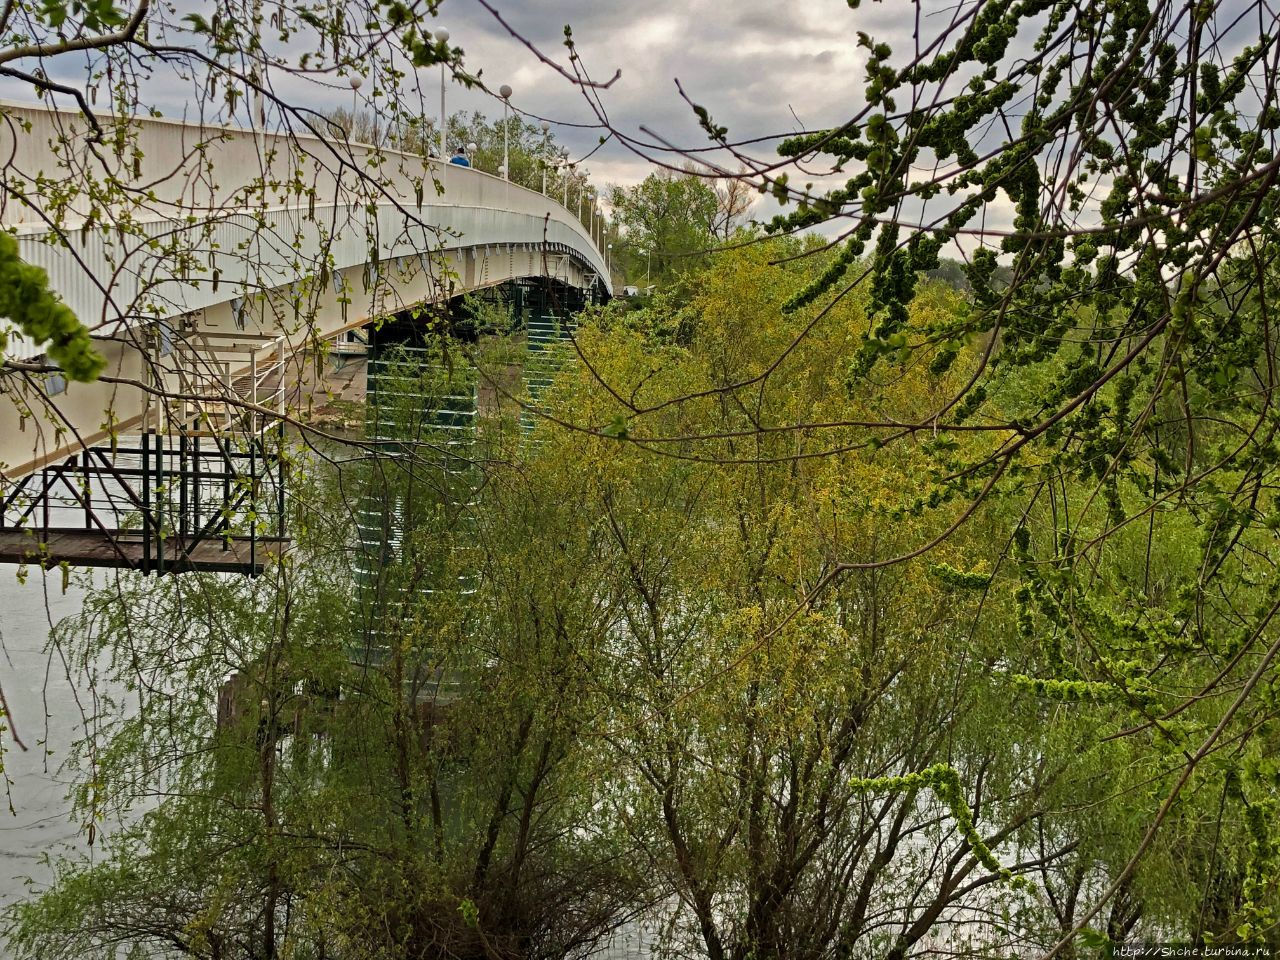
193	167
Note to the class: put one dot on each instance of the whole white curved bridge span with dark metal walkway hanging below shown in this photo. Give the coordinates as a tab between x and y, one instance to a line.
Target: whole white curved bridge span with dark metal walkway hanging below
213	264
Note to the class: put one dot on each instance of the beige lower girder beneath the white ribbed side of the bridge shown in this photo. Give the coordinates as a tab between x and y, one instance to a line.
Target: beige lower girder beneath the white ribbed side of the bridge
212	354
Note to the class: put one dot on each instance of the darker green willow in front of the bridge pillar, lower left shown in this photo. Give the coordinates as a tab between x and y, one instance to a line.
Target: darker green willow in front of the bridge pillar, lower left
341	758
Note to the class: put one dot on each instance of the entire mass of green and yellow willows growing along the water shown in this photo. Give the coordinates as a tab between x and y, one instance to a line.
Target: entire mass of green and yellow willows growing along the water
619	673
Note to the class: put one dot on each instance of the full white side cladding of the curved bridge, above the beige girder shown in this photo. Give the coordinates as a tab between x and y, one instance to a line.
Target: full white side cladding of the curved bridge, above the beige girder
237	209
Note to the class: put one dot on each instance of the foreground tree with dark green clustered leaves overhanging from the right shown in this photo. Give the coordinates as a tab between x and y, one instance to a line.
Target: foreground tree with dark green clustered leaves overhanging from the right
1117	162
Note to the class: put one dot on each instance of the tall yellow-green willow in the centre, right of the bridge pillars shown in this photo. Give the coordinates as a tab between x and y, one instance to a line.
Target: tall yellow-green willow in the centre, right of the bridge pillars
743	703
